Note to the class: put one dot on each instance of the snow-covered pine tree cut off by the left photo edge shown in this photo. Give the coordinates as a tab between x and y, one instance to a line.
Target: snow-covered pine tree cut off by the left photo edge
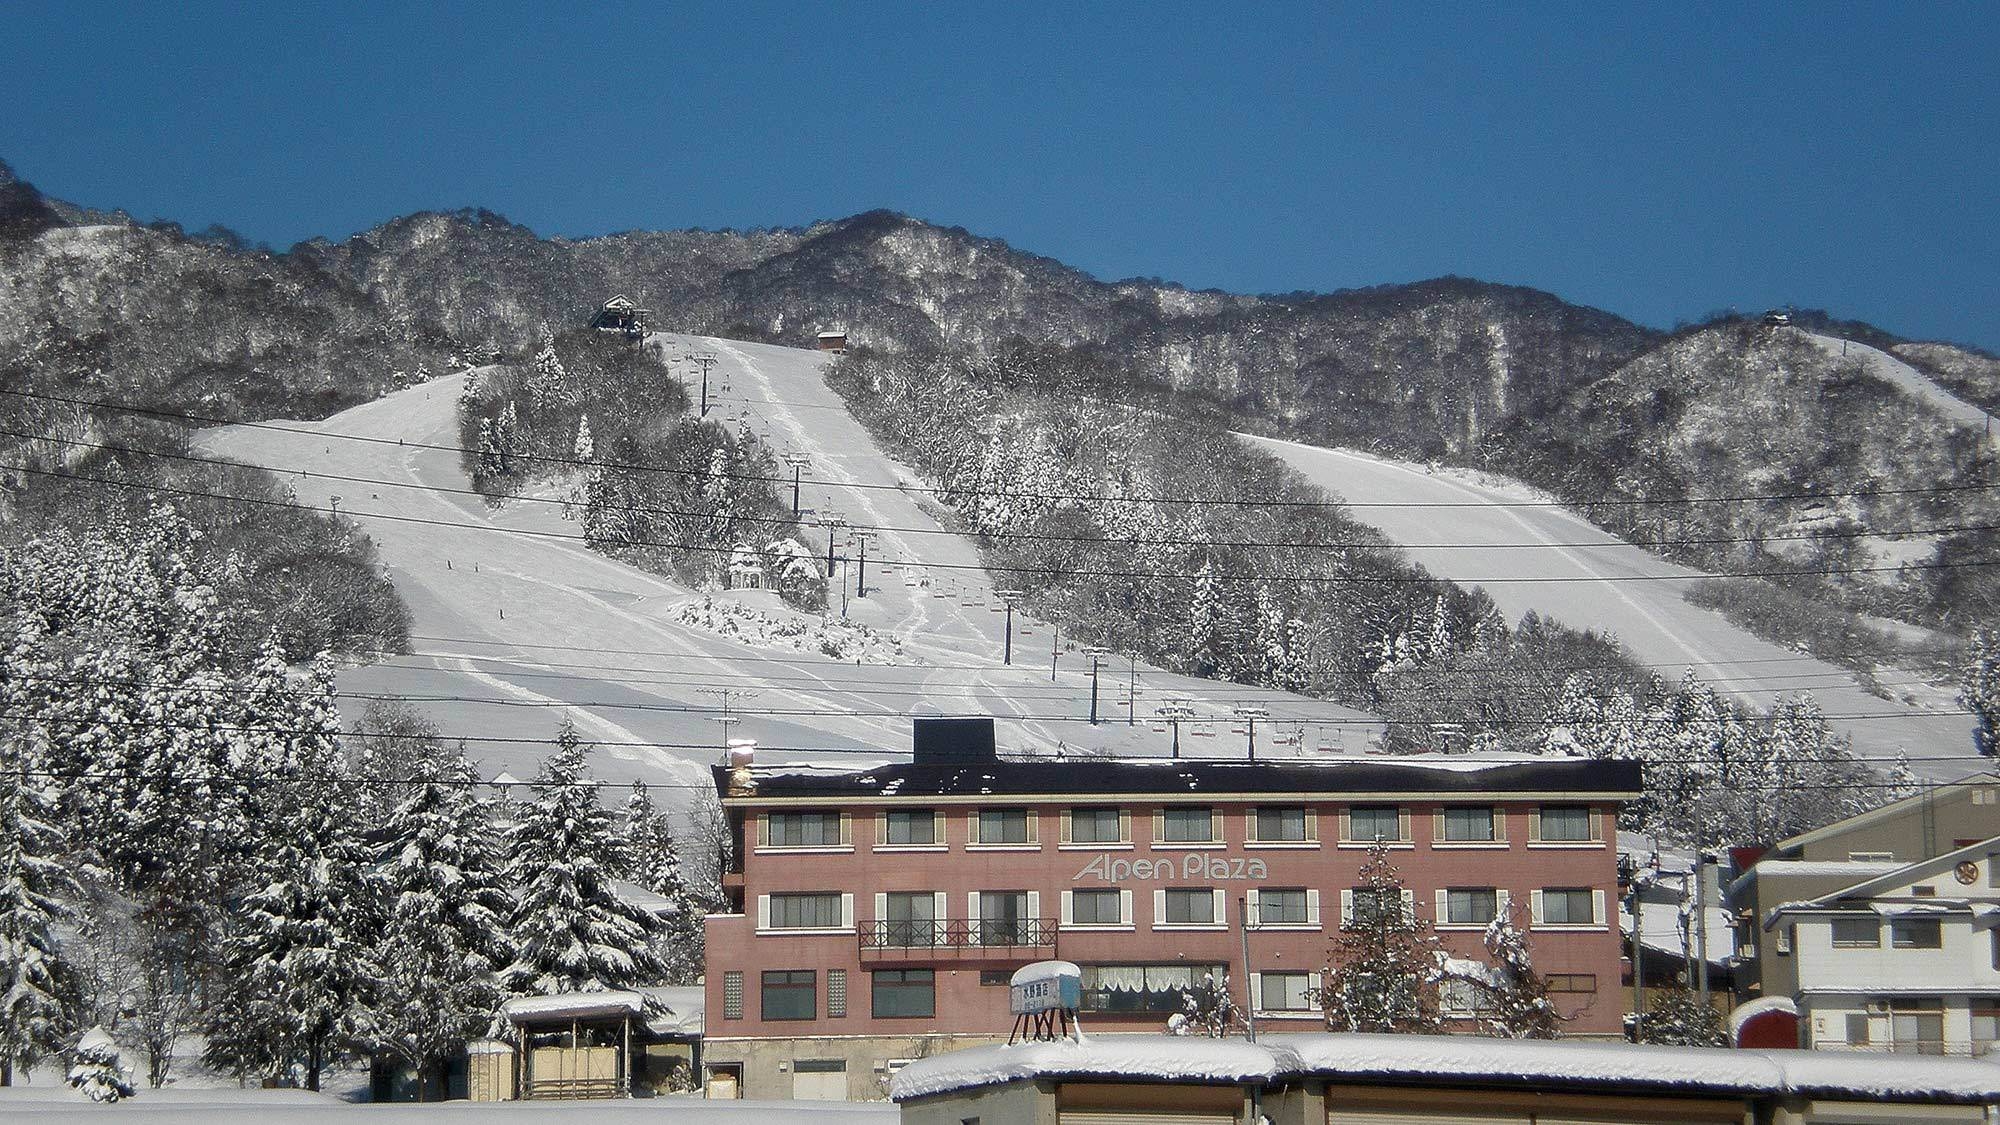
37	894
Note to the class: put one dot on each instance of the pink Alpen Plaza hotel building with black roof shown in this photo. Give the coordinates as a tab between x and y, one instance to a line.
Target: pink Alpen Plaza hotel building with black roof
877	914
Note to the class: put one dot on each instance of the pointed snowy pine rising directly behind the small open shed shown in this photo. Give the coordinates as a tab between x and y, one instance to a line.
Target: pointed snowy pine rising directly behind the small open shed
571	928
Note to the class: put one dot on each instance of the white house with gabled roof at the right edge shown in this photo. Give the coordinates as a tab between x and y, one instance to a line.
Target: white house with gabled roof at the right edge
1903	962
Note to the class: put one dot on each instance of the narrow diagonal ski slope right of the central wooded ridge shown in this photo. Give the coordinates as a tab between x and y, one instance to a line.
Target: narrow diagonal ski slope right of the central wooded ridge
1611	586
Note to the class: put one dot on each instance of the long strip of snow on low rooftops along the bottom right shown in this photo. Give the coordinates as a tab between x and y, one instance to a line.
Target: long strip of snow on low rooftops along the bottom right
1459	1062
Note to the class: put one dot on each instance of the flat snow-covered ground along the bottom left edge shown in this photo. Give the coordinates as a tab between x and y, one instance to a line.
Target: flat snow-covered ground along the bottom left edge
51	1104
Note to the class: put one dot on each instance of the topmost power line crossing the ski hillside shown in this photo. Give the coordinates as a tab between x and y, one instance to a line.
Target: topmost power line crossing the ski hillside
1029	495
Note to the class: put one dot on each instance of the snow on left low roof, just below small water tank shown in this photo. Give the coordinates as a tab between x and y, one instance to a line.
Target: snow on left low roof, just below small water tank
1141	1058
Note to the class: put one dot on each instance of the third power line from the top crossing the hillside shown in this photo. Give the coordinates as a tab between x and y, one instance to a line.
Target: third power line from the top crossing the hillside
1051	572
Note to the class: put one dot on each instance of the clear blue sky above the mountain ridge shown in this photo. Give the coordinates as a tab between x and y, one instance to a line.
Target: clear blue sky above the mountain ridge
1657	161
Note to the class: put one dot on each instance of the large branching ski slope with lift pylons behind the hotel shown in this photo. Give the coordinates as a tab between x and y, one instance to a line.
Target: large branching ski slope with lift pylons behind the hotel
517	624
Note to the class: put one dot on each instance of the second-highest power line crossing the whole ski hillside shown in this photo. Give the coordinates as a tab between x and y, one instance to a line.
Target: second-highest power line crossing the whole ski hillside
1039	537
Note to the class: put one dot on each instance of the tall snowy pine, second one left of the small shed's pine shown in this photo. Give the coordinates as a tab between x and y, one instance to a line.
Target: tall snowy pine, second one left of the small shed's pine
299	966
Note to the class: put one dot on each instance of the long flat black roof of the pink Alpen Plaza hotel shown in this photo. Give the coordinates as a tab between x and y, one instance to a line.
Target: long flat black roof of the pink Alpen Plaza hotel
1195	778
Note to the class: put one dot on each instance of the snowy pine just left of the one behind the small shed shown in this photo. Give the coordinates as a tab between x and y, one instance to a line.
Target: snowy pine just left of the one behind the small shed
445	940
